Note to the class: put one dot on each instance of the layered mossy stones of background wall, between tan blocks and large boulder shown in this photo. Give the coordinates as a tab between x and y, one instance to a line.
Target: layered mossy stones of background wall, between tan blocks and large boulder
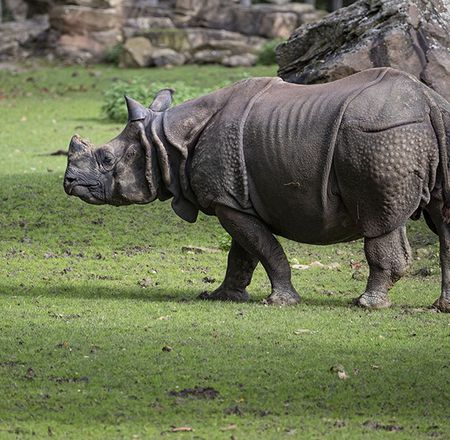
208	31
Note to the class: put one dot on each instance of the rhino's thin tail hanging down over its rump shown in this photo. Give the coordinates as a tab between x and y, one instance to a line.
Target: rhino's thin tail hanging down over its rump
440	128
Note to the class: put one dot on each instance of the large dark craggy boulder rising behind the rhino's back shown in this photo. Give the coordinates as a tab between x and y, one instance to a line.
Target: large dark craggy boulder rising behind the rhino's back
411	35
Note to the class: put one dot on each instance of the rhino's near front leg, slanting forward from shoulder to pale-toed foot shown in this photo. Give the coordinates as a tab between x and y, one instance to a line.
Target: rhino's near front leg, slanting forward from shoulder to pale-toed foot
255	238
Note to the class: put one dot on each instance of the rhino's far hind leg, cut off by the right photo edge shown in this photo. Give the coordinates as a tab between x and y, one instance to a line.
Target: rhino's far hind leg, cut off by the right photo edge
443	231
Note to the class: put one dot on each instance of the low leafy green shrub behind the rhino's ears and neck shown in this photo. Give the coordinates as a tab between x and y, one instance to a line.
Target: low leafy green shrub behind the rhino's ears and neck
114	105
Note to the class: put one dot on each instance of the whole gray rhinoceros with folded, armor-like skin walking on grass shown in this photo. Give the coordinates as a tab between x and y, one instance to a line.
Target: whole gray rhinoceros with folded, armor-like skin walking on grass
317	164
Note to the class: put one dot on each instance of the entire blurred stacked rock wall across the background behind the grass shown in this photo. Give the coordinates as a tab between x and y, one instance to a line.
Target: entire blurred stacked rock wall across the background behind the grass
152	32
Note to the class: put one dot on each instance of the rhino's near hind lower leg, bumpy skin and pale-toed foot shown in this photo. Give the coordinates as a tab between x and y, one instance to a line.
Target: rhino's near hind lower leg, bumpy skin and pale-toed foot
388	257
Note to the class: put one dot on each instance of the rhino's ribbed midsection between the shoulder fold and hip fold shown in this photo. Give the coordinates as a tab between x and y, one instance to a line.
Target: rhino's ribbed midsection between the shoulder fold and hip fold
288	142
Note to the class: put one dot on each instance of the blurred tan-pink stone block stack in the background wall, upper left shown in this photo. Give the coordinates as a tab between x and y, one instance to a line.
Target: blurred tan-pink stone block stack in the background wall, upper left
84	29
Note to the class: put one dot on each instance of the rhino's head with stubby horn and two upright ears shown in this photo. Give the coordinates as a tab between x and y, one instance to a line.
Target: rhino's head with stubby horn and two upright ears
120	171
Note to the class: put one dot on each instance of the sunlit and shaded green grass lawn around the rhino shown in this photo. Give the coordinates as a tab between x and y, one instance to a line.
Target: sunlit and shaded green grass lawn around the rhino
81	339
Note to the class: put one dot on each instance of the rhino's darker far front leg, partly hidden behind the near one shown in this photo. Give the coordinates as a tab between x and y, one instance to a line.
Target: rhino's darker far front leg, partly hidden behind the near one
240	268
